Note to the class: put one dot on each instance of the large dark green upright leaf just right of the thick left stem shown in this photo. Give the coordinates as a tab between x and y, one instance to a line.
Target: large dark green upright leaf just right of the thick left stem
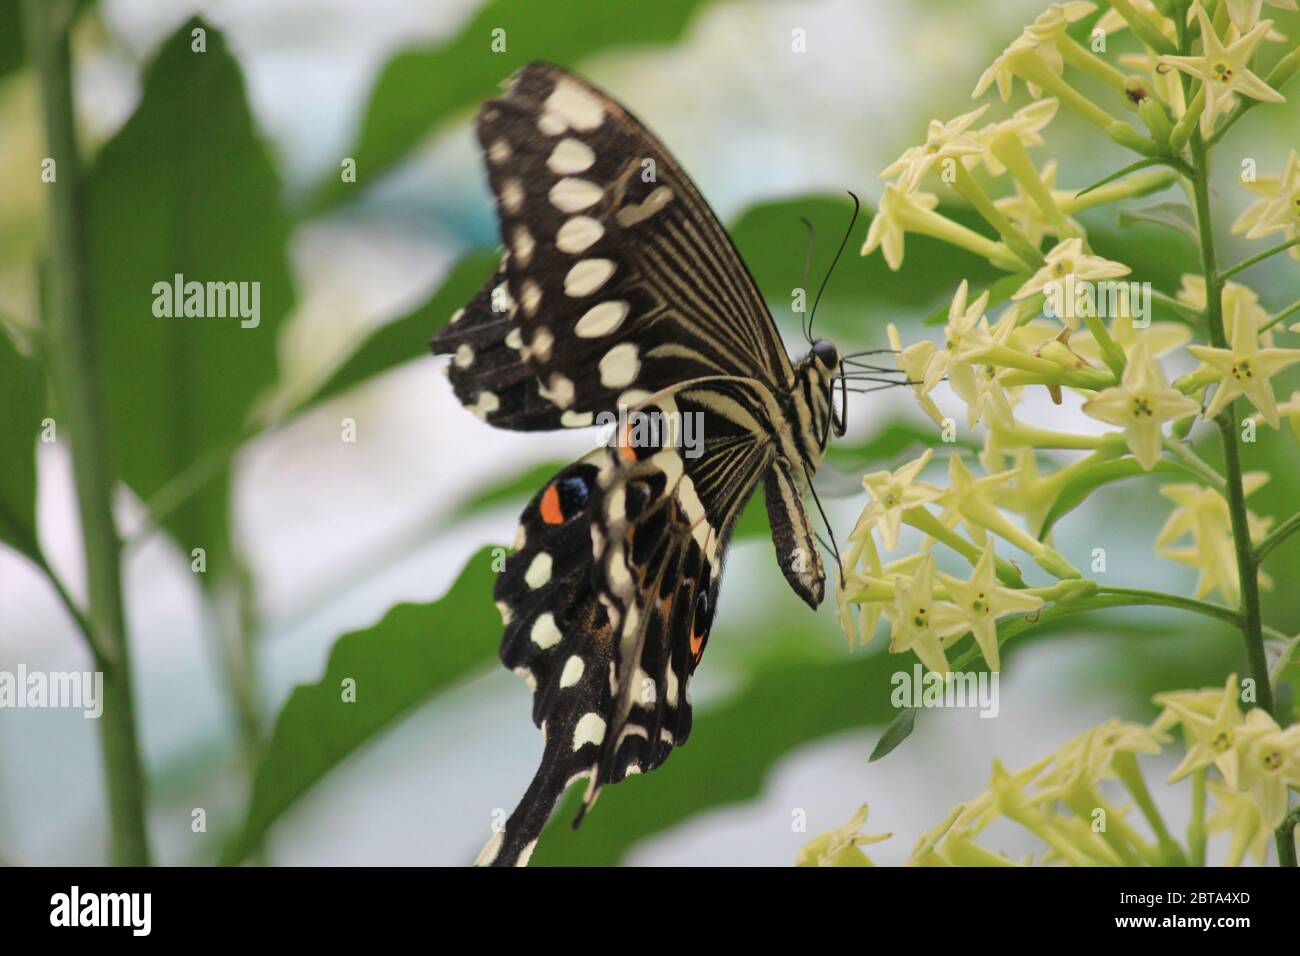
187	188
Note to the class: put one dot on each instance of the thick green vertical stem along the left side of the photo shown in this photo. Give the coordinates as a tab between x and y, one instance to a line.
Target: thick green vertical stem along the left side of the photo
71	331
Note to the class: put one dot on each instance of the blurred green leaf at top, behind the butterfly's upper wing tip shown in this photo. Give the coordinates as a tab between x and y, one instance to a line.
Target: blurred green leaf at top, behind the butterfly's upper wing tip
422	89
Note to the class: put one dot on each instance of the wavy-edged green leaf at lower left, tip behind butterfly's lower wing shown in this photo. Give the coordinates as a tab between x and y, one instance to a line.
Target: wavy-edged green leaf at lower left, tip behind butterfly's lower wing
397	665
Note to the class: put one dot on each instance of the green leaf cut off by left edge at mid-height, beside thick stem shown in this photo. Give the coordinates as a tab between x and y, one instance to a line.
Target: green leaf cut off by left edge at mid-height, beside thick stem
21	404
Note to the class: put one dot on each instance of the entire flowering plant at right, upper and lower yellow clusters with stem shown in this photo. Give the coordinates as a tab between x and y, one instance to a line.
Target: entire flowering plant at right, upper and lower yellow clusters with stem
1147	365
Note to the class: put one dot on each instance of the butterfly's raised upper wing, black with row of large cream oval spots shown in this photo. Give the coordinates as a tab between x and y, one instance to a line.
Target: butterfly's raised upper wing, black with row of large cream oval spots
619	279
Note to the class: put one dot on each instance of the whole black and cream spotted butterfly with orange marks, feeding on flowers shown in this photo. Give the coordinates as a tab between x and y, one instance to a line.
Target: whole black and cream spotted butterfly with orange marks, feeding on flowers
619	288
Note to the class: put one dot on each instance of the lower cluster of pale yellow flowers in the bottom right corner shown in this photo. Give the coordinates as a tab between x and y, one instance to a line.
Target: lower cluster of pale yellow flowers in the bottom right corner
1067	801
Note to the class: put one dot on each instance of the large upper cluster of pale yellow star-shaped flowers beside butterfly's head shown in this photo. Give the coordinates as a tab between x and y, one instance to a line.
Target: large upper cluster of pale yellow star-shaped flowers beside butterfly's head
1069	319
